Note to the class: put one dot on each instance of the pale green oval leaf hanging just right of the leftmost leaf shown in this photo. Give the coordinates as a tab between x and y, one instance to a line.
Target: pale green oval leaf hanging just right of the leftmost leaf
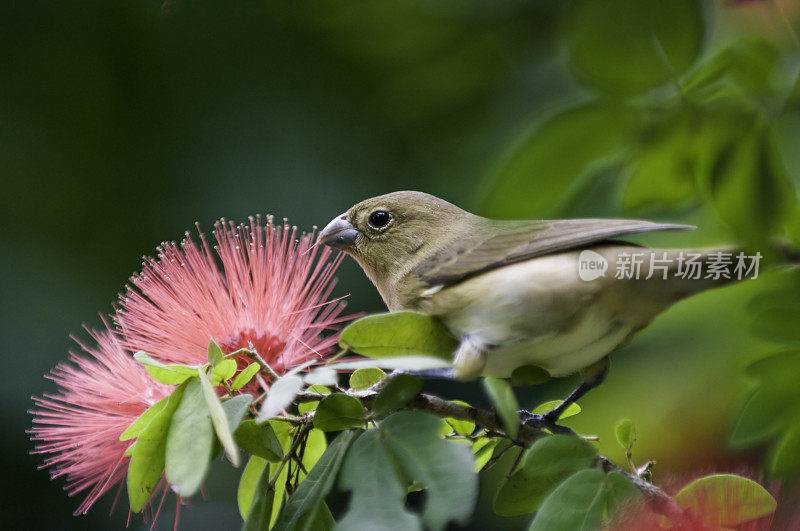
190	442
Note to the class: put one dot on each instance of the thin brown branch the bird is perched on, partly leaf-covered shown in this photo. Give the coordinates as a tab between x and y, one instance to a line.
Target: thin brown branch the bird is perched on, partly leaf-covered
658	500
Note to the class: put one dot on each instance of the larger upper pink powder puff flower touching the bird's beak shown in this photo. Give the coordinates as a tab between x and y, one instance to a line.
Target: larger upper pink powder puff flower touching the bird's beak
271	294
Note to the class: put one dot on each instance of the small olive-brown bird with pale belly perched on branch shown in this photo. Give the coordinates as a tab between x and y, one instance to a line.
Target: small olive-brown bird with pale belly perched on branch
519	293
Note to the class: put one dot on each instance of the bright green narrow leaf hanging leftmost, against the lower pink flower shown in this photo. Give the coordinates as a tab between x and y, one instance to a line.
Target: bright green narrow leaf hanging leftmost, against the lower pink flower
147	459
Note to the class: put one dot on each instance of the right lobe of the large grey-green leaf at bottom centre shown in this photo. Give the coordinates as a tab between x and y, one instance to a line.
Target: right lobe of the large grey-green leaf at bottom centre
443	468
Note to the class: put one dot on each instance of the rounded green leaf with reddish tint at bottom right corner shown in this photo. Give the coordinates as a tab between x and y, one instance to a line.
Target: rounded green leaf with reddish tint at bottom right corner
725	500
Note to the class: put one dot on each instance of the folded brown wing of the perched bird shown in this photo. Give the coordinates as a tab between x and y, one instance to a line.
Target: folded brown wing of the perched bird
509	242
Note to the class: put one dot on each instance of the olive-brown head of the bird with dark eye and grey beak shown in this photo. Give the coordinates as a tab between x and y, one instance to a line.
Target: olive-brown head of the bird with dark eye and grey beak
385	233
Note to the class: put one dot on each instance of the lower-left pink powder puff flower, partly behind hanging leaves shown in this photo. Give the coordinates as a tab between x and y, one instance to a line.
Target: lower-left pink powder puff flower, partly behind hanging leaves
100	393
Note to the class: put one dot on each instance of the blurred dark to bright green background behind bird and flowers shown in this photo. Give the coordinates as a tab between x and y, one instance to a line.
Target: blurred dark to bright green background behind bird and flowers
123	125
